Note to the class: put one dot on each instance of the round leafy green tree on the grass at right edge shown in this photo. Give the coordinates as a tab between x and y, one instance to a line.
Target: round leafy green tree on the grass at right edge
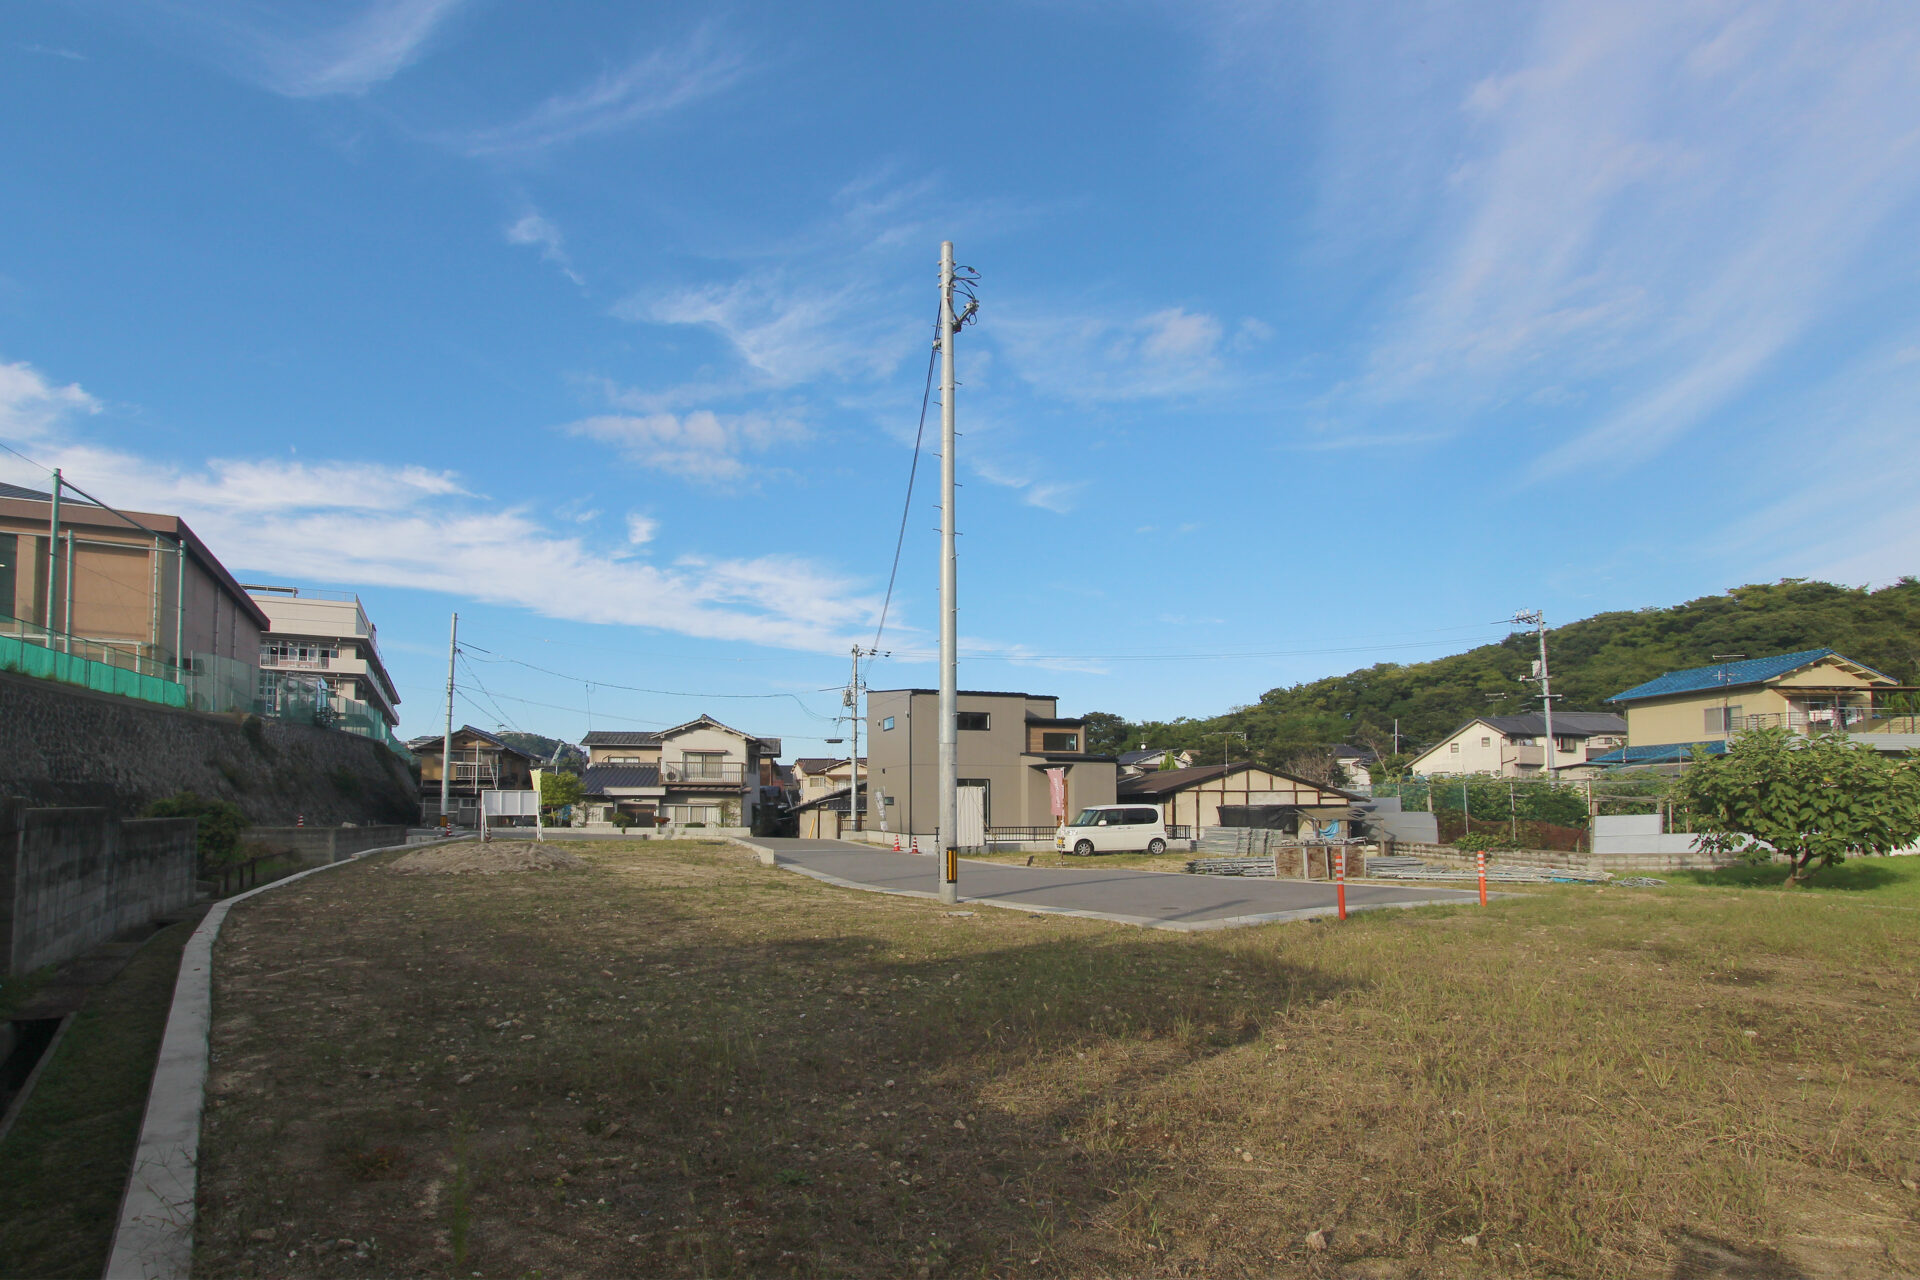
1813	801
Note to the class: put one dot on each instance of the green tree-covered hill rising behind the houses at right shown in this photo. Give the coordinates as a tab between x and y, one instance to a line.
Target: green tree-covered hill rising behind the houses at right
1591	659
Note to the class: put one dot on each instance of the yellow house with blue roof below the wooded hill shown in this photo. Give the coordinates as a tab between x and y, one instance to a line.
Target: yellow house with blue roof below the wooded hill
1810	692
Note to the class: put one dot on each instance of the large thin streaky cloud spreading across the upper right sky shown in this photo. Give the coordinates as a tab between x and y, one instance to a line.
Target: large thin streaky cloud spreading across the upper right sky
1652	208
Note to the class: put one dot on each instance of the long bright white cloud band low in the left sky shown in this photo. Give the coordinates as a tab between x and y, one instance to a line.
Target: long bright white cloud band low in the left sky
395	527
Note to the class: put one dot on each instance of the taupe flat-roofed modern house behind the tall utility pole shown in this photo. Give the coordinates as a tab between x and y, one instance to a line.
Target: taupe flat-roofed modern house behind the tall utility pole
1007	746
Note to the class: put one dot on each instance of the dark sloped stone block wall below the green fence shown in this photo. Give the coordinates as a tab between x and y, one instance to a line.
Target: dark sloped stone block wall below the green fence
74	747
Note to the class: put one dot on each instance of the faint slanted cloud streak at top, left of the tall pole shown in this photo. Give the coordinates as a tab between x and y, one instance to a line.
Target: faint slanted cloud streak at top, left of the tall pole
654	85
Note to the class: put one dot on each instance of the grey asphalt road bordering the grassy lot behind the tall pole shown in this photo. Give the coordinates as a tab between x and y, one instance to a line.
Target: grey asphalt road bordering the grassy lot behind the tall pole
1159	899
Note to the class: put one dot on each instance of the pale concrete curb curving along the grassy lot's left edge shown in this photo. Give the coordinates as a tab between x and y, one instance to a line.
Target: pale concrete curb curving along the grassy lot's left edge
155	1239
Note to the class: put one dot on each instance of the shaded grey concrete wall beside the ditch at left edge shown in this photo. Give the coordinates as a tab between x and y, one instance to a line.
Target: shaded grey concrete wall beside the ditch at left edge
74	878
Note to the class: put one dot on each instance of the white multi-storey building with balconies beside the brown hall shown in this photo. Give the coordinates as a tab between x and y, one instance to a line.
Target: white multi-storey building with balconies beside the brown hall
327	636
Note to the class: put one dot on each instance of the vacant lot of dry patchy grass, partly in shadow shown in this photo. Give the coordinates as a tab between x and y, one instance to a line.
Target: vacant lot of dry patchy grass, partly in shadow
679	1062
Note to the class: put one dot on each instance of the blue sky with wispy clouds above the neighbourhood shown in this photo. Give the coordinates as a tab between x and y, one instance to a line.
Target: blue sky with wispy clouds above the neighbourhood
1310	337
